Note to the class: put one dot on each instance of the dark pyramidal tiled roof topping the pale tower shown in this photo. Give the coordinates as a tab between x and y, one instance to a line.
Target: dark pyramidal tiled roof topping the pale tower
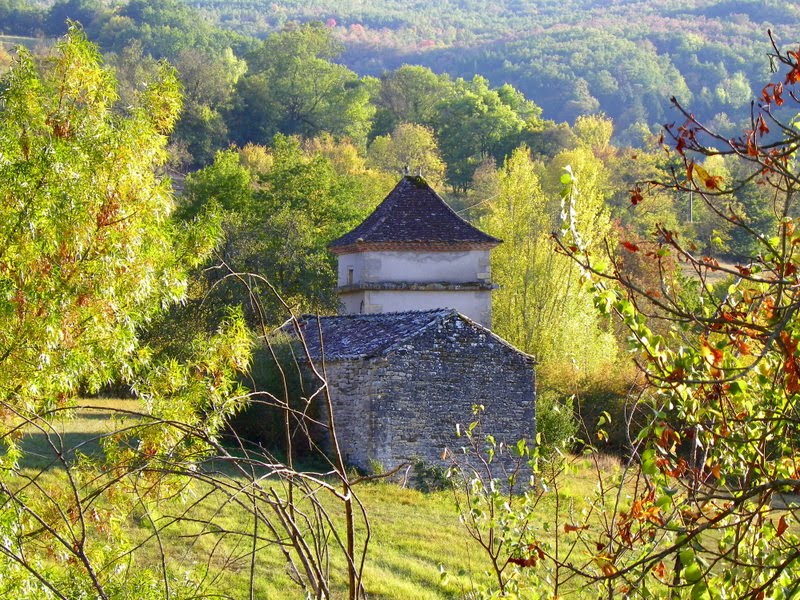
413	213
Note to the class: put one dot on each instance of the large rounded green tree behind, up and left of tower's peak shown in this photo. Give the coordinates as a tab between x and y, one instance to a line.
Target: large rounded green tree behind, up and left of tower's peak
292	87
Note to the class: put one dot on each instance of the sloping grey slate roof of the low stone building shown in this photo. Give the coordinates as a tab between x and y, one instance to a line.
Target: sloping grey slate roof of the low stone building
352	337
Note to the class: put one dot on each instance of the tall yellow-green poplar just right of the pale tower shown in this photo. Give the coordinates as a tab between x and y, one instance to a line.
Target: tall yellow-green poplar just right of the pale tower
541	305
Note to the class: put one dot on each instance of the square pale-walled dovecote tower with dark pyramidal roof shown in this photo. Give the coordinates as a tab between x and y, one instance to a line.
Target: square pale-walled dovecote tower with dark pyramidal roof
415	253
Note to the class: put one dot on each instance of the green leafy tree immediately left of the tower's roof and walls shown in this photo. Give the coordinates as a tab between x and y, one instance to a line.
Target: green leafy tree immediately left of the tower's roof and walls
278	223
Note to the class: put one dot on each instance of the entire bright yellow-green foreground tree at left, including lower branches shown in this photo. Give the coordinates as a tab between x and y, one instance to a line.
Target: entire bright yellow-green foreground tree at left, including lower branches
89	255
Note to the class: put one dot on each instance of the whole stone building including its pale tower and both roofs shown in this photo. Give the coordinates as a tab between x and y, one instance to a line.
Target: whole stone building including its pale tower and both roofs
412	351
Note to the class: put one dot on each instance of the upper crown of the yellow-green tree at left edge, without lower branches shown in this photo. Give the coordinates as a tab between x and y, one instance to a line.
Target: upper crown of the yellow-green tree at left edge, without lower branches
89	252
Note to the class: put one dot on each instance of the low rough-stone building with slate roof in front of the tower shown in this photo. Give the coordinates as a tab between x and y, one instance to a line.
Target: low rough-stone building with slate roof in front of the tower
399	383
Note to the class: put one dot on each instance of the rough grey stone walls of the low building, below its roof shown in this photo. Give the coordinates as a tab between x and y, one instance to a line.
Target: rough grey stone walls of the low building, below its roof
406	404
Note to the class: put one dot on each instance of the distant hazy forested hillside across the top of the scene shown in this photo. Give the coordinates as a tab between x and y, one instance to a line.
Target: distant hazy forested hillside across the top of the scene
624	58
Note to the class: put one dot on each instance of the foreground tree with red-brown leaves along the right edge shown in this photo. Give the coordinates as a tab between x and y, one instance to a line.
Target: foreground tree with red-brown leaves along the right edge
708	504
